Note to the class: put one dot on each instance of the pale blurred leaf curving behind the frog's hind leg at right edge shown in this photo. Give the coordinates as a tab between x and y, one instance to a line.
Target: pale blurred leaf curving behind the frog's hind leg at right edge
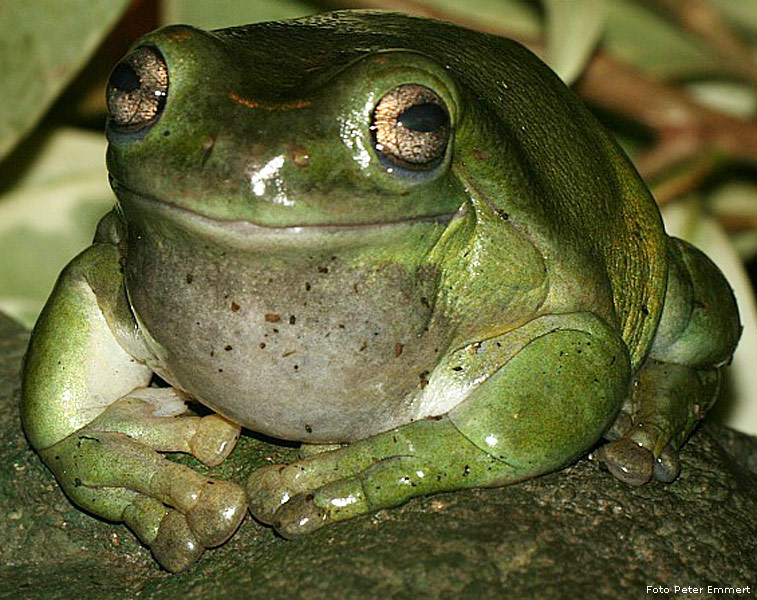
687	220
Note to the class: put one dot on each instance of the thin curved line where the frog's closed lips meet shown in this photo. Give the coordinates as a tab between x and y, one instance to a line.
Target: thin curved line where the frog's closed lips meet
443	218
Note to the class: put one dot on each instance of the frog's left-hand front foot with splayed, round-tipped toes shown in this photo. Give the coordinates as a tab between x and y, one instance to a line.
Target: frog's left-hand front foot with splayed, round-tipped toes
112	468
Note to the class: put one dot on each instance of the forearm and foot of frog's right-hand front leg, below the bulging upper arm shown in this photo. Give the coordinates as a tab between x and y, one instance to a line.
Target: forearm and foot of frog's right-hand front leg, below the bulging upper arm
379	472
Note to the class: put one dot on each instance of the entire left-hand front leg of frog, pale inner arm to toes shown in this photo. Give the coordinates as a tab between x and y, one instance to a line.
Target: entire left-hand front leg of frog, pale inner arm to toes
87	411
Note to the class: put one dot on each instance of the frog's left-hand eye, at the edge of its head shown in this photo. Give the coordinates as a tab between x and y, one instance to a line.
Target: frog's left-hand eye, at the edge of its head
137	88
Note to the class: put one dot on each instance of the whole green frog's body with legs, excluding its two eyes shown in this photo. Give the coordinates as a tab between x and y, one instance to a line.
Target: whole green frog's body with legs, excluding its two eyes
472	324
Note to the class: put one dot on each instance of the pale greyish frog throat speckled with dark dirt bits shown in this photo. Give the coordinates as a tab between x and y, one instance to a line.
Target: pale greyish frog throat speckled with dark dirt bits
313	346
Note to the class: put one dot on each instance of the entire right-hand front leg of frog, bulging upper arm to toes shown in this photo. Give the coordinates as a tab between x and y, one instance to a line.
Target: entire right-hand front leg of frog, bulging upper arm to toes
535	399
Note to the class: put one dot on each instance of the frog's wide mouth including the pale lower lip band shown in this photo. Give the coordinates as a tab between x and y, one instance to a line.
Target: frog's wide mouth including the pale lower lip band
137	207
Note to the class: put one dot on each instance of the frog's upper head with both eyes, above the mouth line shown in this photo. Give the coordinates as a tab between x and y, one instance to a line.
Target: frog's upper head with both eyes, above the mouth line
283	125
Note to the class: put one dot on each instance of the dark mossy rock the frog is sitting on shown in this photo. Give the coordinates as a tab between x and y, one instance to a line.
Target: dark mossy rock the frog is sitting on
576	533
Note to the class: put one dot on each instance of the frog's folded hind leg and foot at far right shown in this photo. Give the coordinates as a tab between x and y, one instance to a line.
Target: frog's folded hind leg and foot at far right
679	380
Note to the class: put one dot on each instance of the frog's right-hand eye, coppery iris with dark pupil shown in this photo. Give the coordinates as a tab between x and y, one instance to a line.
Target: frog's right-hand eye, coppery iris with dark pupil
411	127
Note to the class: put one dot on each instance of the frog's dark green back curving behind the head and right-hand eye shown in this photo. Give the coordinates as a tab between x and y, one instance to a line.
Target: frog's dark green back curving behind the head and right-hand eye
573	193
